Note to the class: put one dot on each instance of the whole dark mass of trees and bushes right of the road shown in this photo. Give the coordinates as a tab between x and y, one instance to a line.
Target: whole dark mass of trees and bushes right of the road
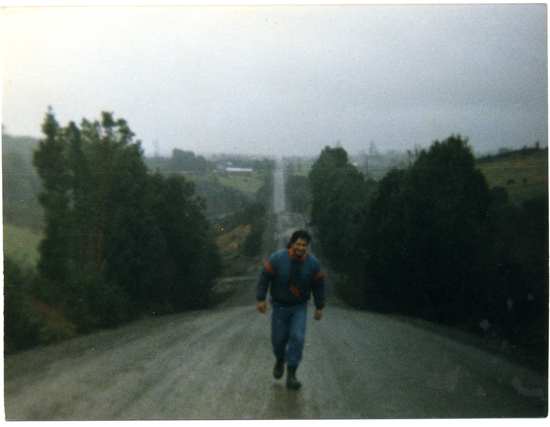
433	241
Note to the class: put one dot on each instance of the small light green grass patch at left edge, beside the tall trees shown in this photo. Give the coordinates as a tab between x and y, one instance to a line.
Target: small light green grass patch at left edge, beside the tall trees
21	245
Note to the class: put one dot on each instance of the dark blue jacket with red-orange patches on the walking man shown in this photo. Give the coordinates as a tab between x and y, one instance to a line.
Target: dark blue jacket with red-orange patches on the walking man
292	279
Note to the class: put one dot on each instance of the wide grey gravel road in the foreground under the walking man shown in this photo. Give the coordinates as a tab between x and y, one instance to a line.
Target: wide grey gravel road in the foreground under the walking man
216	364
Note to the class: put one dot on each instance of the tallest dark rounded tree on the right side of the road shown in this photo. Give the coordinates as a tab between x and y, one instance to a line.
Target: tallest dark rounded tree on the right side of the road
431	234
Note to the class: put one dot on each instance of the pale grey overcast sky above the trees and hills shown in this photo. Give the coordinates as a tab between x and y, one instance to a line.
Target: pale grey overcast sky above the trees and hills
283	80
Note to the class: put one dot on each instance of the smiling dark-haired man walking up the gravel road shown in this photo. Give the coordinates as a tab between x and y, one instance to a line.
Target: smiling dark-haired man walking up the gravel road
294	275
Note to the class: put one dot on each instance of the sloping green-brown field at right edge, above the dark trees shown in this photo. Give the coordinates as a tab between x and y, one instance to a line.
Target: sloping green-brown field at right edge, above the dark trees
524	176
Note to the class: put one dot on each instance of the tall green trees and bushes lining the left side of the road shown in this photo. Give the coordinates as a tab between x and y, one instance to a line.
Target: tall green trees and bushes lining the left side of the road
119	241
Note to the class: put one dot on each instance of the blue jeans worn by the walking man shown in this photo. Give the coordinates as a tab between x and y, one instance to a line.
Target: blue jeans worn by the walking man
288	328
